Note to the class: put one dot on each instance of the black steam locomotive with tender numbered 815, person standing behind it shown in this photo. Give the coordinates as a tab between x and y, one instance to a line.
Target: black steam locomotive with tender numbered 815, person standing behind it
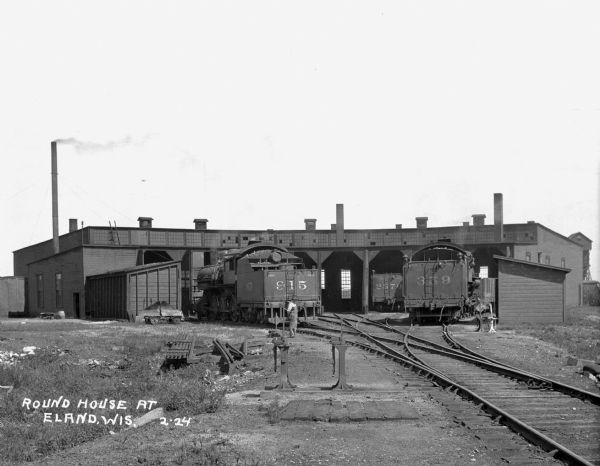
253	284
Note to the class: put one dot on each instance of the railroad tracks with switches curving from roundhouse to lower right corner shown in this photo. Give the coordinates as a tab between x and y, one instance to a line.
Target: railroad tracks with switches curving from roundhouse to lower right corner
562	420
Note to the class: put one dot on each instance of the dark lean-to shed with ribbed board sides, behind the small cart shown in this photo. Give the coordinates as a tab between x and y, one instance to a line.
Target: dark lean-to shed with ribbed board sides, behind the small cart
121	294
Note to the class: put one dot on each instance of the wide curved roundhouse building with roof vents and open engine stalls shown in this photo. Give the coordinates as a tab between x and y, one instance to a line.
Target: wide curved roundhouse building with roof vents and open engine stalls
56	270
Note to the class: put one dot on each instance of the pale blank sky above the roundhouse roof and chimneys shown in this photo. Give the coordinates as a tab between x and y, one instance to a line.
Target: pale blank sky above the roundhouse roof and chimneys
260	114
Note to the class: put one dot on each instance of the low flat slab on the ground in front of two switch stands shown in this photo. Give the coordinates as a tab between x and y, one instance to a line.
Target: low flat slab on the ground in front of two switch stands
343	411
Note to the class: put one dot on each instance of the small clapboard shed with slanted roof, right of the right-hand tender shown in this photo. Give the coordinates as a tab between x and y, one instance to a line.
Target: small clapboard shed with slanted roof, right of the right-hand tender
530	292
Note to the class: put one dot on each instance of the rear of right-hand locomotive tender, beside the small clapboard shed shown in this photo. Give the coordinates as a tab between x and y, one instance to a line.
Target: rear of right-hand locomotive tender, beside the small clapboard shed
439	283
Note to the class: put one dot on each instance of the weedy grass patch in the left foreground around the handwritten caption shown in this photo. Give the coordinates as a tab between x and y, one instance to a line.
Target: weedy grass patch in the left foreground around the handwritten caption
128	373
